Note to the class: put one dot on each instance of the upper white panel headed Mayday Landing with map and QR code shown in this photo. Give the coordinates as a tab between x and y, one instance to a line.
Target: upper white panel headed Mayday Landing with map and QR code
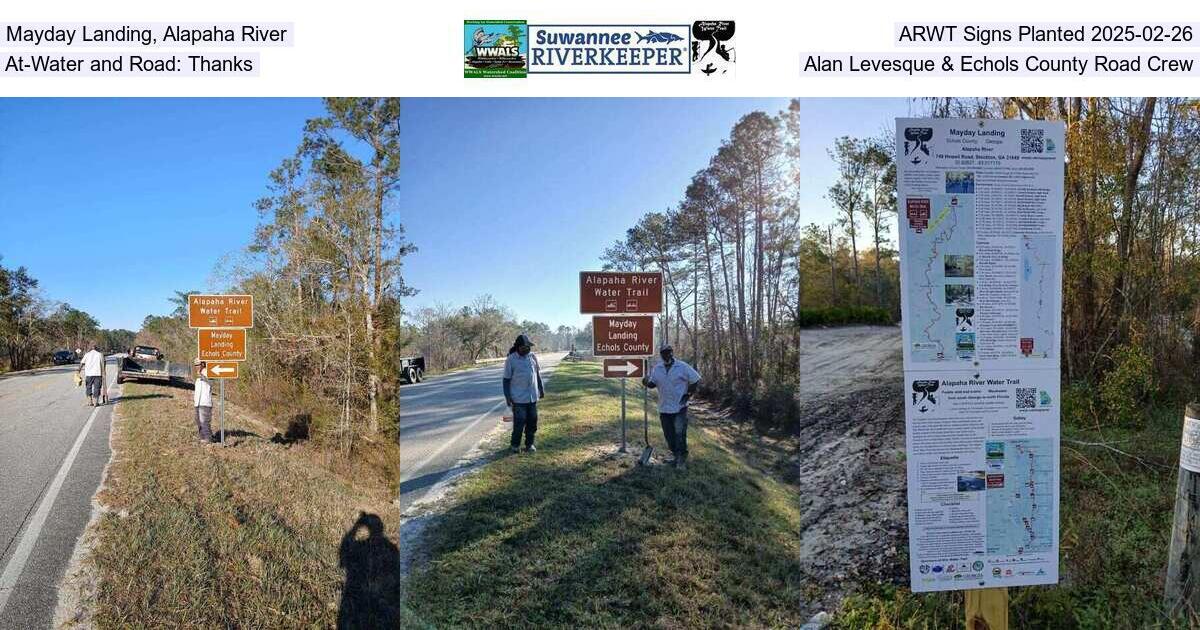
981	242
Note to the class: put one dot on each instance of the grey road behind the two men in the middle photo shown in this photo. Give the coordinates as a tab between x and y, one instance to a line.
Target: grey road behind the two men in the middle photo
445	418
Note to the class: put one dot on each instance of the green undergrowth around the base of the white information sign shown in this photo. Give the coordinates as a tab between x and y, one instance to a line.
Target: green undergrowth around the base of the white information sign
1115	535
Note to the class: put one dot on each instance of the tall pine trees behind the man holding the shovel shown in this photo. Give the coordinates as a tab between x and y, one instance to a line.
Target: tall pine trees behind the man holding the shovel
729	256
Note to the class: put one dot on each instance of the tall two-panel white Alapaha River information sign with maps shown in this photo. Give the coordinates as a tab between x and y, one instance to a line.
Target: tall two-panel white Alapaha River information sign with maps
981	251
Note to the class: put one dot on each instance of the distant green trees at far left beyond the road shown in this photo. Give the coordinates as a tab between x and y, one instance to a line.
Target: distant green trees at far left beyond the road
33	327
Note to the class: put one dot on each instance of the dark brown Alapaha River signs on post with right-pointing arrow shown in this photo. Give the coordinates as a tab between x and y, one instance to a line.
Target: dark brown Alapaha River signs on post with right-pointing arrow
623	340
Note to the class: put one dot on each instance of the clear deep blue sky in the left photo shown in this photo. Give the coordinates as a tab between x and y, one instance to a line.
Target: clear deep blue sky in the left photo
113	205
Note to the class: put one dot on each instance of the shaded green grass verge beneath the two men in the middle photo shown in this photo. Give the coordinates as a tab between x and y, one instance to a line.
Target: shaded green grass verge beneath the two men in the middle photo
574	537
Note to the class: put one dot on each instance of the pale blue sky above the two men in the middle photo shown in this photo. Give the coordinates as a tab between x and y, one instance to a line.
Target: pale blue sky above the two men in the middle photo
515	197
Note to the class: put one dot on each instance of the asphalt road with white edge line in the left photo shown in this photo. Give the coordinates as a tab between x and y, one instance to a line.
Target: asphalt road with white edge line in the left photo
53	452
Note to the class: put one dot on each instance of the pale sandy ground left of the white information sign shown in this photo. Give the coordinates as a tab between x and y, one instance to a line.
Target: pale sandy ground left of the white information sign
850	457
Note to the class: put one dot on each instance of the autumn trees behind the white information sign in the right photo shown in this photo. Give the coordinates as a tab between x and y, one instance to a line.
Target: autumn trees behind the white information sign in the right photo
1131	236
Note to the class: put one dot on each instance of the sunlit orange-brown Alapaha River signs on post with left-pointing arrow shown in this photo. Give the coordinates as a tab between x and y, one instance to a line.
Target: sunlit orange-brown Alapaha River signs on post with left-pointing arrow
221	323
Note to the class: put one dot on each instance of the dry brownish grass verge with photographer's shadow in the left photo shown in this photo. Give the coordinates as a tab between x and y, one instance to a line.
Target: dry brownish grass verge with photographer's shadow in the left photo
259	535
